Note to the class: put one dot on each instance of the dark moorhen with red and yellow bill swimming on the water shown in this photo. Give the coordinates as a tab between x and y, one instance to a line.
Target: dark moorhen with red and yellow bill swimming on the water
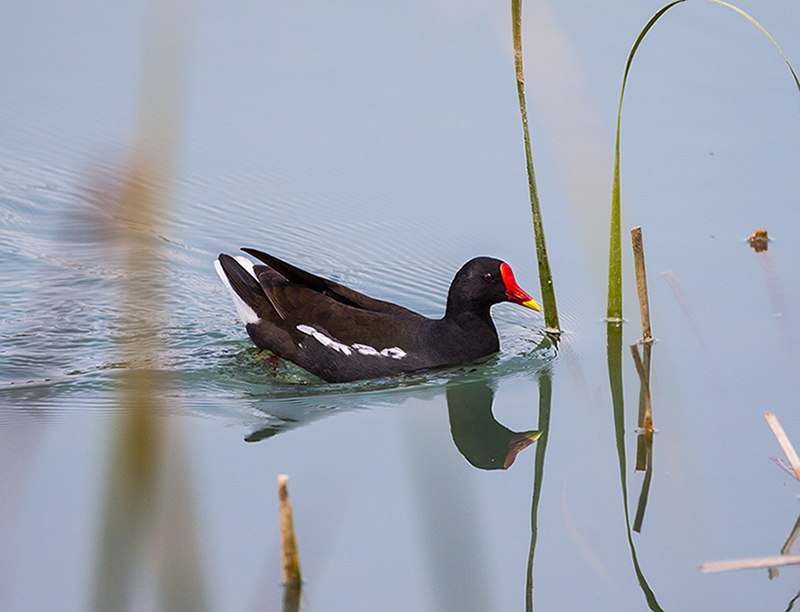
342	335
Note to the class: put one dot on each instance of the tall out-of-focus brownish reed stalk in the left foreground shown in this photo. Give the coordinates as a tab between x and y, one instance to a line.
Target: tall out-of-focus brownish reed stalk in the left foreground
148	515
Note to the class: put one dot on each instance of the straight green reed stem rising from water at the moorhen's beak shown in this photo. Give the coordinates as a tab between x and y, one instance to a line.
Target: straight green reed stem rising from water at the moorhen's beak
545	277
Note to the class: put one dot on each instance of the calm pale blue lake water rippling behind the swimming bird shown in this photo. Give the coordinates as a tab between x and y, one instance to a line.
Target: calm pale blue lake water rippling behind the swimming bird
380	145
